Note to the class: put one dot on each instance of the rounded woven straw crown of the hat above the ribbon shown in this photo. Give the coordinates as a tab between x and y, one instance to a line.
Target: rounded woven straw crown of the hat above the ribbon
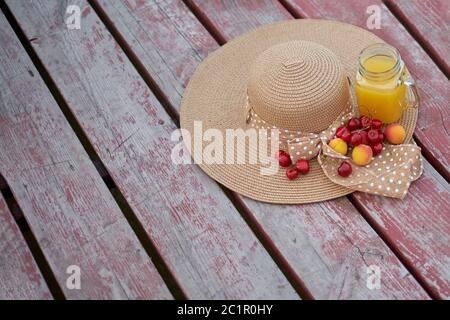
298	85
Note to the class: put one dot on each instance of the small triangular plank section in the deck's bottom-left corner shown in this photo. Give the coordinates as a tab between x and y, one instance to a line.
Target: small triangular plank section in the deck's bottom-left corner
20	277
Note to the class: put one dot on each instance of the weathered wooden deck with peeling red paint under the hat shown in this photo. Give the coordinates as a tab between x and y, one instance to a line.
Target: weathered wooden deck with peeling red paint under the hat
86	178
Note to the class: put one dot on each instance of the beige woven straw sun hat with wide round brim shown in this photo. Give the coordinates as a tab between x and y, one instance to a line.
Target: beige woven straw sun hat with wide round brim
291	75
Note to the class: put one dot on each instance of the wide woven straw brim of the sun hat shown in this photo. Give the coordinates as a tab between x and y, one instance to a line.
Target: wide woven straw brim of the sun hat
216	96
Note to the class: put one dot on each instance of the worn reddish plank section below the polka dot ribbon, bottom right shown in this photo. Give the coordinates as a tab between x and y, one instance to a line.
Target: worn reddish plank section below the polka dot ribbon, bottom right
418	227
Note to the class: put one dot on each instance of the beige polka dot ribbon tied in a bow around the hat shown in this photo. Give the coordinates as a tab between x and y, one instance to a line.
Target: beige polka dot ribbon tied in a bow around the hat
389	174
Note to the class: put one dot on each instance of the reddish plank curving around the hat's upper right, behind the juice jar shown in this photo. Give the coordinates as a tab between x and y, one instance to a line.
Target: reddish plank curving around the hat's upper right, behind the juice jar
433	127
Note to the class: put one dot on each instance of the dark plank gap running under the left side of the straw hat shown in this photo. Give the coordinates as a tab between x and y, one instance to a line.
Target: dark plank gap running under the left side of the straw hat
265	240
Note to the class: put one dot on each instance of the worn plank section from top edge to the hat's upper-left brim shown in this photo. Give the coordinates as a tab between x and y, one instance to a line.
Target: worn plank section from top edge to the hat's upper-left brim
169	40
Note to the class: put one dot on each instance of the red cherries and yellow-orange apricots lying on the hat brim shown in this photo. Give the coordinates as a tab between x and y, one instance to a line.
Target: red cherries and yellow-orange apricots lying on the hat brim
360	138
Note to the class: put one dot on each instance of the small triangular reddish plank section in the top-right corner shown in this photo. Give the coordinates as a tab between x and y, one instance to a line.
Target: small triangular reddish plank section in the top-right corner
429	23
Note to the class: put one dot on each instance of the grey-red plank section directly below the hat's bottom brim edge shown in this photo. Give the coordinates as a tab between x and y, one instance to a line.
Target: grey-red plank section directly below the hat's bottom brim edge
332	248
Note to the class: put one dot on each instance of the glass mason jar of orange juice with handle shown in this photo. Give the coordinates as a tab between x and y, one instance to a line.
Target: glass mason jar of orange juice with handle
381	83
